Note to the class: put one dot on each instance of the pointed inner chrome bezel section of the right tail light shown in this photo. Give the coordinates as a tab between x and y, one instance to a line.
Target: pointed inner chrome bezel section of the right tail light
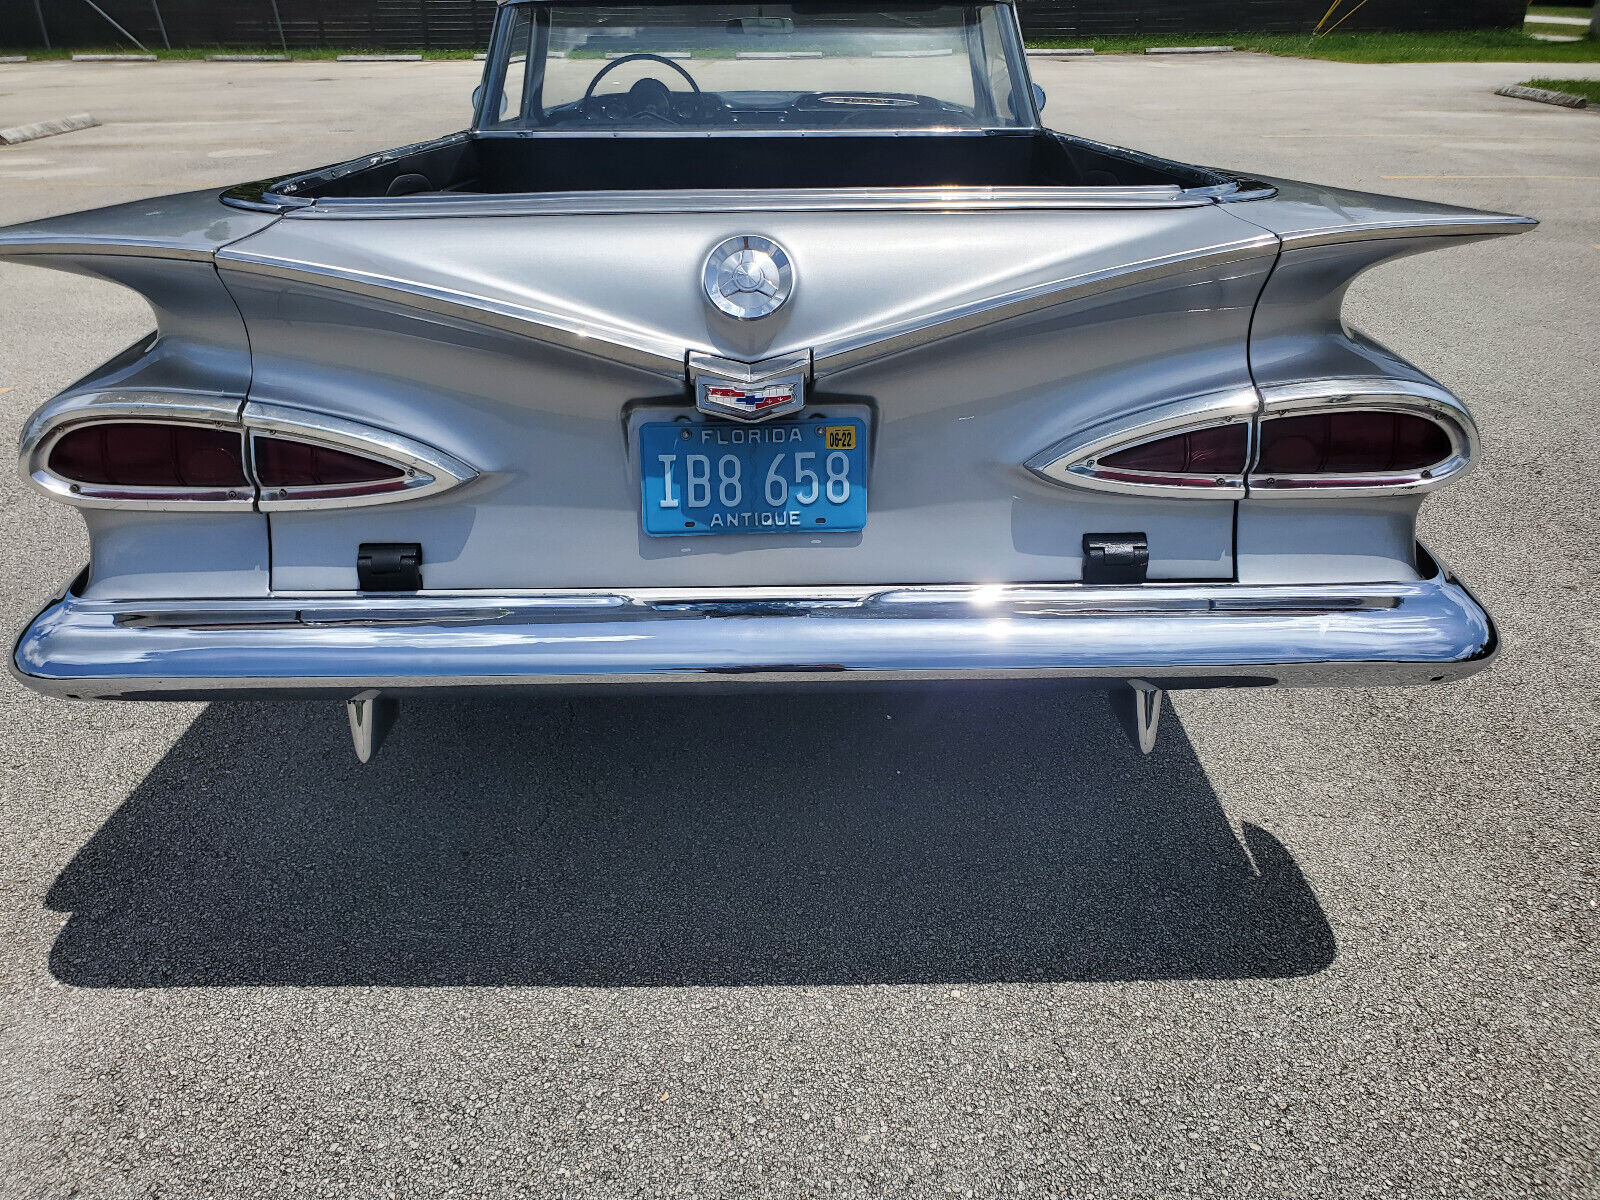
1074	460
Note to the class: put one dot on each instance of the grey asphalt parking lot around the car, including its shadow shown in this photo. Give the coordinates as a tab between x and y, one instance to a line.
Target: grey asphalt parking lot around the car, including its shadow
1319	945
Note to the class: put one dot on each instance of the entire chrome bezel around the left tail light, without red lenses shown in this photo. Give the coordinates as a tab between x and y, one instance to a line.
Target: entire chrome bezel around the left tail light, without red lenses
422	470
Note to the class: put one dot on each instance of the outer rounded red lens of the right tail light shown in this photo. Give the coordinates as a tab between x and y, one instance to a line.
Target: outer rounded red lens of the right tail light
1351	444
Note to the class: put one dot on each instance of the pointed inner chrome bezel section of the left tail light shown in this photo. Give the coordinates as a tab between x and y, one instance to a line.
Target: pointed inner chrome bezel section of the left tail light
430	471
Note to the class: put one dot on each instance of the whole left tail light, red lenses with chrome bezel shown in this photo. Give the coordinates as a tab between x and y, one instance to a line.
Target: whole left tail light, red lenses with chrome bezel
169	452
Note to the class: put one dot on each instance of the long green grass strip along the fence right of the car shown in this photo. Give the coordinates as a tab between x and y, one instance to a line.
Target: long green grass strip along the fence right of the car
1478	47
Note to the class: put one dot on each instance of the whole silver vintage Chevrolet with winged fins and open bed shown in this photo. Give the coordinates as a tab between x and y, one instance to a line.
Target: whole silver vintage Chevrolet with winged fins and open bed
750	346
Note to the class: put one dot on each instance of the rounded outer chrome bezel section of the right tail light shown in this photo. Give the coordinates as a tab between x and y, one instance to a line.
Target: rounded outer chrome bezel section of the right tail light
1382	396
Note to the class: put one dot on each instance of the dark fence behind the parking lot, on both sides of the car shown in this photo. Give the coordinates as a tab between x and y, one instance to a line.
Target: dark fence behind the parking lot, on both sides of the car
465	25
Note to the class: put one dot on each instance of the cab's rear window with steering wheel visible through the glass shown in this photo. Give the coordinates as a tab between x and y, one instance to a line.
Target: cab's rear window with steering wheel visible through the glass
756	66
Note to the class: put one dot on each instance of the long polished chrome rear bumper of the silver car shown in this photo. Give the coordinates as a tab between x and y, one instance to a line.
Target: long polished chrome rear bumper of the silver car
1172	636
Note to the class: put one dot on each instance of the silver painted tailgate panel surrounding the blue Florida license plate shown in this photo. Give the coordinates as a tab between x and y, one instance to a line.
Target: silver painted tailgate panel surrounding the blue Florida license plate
954	417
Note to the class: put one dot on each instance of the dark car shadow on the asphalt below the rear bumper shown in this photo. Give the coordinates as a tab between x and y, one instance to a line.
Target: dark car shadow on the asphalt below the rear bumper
682	839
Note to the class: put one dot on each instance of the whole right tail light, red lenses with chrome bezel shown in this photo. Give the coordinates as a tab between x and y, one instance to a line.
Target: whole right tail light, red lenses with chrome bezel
1385	438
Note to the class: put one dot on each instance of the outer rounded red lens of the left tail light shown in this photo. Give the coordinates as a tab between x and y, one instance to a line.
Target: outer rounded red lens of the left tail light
142	455
